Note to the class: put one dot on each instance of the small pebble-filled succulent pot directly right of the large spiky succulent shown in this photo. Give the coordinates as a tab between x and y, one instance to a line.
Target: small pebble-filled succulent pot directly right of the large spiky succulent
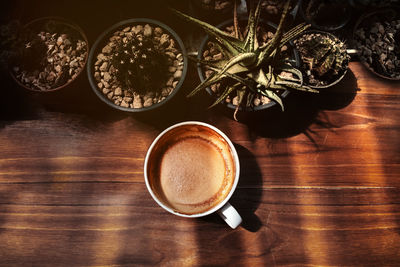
324	58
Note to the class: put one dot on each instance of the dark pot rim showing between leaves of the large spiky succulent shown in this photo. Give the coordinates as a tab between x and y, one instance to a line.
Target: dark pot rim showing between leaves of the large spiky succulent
230	105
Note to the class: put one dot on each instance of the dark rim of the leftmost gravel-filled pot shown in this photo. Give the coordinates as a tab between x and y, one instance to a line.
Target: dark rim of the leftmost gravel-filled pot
75	27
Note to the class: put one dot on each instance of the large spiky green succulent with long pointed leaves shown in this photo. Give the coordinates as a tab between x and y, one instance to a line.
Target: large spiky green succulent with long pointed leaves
253	68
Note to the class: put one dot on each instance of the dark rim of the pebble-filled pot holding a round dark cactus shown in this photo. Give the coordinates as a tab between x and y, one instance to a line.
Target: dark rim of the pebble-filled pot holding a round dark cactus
99	41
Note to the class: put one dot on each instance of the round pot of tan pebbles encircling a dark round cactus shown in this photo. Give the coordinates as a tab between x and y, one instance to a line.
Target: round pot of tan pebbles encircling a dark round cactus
137	65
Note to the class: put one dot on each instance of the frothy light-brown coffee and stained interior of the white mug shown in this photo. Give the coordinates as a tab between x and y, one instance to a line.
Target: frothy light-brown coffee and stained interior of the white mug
191	169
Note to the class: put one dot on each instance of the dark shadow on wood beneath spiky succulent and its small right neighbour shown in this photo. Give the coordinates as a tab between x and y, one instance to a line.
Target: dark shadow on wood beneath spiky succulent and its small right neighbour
301	111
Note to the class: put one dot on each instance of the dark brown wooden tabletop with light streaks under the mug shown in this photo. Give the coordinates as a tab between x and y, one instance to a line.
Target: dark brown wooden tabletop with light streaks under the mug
320	183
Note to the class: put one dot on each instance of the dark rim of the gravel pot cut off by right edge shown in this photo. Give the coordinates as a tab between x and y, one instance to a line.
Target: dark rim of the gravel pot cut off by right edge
359	21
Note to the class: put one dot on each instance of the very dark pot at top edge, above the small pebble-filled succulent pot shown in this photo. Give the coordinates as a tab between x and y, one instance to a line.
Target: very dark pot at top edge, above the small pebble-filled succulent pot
325	15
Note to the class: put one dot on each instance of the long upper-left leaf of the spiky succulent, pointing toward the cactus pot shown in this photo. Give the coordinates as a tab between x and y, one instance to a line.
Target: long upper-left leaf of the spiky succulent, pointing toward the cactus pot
232	44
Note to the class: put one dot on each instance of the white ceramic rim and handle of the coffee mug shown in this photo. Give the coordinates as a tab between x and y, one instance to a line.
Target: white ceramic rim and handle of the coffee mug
224	209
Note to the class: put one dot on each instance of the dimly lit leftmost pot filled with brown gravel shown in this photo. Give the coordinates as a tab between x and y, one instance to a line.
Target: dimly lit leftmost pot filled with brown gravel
49	54
